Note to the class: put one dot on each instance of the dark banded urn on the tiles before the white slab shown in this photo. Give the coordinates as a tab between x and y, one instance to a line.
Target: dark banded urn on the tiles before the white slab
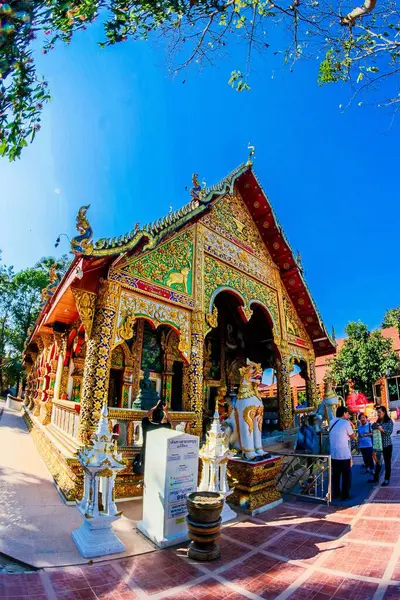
204	524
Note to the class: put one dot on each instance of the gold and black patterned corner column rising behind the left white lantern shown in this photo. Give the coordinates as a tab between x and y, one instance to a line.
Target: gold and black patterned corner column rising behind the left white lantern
96	374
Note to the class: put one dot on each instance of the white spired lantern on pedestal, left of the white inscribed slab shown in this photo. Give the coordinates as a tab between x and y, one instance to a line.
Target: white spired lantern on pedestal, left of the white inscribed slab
100	462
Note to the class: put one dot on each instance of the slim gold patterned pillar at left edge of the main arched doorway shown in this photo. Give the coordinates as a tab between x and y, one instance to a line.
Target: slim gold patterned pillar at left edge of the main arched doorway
196	391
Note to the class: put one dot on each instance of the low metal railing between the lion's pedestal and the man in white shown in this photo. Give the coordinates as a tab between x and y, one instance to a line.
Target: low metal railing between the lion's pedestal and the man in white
305	475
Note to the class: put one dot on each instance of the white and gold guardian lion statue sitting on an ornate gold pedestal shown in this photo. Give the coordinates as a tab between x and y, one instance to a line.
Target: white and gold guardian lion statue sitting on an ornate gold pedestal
244	424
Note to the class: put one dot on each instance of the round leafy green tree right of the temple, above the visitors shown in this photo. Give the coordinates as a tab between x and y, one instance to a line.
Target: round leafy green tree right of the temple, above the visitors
364	358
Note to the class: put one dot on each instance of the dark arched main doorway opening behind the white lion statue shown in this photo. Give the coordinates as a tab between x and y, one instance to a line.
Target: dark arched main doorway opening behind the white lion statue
227	347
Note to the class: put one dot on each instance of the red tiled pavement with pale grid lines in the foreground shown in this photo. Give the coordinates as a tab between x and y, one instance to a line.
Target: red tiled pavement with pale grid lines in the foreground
297	550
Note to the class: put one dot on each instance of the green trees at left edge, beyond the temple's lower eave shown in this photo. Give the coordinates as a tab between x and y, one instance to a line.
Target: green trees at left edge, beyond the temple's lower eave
20	299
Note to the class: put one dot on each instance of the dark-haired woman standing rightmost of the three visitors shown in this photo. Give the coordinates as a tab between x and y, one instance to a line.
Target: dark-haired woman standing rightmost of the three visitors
382	443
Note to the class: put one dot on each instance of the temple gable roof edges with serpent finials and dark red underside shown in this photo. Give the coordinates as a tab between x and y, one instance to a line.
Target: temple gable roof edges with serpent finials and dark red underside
89	253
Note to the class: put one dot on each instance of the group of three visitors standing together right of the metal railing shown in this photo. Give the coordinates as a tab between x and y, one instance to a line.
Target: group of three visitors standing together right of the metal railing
374	442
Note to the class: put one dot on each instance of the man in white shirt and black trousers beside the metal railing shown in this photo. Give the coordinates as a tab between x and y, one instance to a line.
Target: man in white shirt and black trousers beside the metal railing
340	434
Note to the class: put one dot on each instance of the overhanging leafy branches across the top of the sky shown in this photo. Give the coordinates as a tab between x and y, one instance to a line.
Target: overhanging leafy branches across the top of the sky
359	45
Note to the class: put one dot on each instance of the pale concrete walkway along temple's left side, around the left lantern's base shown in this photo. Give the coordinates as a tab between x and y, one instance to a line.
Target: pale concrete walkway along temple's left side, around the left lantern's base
35	524
